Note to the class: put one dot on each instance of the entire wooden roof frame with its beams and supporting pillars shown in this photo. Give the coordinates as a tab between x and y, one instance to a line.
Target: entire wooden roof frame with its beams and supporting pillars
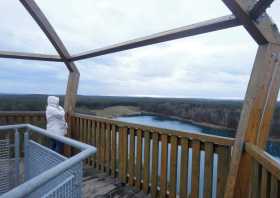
262	91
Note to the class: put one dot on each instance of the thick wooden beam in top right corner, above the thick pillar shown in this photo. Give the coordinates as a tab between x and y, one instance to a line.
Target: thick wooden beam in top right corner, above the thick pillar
262	30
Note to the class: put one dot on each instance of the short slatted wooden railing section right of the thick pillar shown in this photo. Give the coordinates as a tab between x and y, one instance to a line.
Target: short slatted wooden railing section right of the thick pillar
265	173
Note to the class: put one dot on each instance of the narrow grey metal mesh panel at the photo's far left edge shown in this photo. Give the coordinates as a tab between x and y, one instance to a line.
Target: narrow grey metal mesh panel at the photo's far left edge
5	179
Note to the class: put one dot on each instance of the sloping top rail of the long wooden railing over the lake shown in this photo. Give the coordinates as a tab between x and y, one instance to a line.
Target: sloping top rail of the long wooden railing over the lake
162	131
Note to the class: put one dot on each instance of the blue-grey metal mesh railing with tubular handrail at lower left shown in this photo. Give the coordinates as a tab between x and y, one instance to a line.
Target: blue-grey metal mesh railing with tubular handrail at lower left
46	173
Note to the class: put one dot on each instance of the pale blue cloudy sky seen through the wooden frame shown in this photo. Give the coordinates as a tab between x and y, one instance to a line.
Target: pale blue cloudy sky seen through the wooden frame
213	65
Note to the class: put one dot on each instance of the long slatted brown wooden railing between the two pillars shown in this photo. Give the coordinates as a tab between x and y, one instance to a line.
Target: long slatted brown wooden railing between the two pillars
158	161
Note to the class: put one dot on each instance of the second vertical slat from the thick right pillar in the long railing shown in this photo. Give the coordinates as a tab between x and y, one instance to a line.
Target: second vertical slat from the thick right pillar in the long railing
208	174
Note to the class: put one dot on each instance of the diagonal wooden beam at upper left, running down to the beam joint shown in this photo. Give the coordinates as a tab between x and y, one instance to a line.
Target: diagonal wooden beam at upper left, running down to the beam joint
49	31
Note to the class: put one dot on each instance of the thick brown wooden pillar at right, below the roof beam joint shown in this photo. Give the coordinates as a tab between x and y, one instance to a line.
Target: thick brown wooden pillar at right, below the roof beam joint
255	119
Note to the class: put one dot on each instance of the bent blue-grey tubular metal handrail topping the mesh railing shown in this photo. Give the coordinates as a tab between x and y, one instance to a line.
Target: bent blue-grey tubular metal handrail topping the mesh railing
36	182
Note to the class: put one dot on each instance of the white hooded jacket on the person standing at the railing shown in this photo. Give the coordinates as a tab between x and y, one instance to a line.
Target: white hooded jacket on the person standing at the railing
55	117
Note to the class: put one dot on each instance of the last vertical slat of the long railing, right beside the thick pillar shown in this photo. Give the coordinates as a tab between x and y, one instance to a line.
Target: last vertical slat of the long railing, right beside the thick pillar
223	165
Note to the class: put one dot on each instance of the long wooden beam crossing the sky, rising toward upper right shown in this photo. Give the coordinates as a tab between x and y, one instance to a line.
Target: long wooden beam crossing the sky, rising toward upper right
190	30
